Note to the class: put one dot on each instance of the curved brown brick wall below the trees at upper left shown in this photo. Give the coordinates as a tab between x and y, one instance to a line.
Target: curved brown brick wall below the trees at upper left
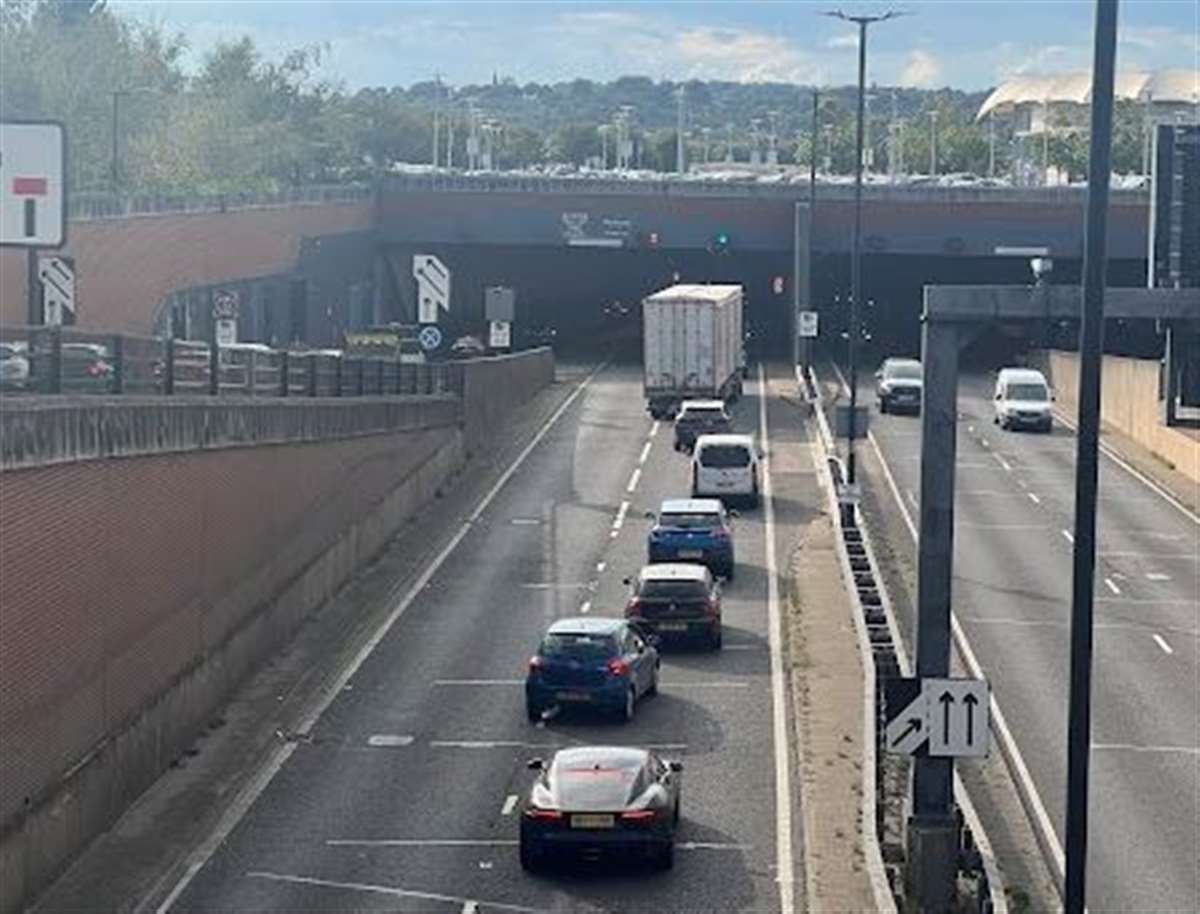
127	267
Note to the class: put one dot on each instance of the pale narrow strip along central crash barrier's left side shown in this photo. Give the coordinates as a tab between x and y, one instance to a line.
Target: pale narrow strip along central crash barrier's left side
885	901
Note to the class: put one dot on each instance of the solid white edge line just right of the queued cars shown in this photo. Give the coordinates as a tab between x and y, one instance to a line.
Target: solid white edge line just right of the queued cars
784	864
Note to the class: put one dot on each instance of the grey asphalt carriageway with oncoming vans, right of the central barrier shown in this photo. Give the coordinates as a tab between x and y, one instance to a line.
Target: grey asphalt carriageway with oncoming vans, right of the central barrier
1012	593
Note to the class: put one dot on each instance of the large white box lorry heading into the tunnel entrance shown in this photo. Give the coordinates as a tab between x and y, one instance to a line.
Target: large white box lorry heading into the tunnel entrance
693	345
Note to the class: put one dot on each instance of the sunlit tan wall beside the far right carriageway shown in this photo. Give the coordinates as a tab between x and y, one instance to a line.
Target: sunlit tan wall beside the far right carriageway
1130	404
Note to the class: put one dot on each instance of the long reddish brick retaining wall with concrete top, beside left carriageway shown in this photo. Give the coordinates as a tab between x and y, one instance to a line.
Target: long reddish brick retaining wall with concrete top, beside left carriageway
153	554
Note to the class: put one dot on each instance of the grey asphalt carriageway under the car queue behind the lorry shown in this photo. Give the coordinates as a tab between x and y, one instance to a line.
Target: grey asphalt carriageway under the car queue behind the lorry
404	797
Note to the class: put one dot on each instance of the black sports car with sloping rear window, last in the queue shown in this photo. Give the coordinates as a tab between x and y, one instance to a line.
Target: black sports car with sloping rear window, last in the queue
601	802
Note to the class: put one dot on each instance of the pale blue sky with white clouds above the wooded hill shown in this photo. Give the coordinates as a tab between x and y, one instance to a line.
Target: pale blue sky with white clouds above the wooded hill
970	45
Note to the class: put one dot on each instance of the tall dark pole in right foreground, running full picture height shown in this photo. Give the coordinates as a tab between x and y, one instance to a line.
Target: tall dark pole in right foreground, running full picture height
1091	345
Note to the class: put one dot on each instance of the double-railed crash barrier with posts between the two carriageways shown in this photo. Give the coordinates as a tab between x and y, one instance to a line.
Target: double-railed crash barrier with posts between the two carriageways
885	658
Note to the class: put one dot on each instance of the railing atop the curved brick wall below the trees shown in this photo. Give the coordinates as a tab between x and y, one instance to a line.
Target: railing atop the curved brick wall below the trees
83	207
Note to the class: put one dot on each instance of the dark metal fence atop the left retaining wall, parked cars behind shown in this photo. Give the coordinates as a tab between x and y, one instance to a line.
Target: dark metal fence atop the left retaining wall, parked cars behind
41	360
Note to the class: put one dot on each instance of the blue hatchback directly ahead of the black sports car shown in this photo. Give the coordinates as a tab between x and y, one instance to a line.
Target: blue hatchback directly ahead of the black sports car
599	664
